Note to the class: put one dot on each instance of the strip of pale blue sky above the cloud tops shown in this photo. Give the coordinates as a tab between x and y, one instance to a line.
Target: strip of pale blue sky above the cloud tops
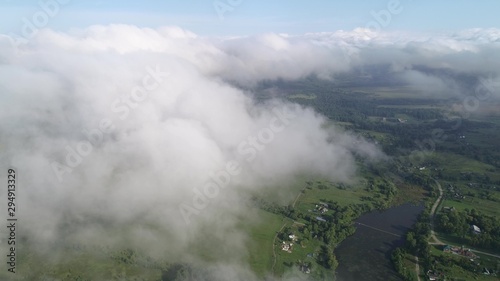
257	16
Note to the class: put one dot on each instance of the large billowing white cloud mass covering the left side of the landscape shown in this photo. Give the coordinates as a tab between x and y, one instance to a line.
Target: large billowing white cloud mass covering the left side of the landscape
59	88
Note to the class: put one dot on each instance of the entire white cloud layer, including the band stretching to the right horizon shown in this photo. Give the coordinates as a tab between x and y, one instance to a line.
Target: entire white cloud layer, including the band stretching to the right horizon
151	138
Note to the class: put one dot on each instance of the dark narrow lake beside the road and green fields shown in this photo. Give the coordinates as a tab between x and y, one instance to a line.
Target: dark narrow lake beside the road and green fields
366	254
